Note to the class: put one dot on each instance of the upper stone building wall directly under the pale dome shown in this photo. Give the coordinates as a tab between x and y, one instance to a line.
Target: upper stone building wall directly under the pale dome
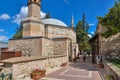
52	31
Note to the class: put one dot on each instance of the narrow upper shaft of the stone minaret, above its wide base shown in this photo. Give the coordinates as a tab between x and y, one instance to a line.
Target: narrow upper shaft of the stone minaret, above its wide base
34	8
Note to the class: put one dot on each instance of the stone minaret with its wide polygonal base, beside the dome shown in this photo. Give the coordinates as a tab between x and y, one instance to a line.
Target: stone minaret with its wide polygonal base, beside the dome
32	25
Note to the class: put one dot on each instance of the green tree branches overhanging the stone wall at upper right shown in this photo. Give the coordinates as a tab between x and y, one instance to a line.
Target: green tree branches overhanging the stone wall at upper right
111	20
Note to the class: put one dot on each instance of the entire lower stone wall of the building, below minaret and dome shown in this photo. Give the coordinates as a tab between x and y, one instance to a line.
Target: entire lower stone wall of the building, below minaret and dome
42	46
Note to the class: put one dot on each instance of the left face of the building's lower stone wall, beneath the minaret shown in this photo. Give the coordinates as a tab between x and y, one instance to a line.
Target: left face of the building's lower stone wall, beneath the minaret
28	46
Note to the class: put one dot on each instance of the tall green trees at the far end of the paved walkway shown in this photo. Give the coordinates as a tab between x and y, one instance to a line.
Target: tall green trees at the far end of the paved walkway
82	35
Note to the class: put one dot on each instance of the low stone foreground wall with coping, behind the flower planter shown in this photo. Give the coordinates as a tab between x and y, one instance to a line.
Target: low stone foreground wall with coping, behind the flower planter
25	65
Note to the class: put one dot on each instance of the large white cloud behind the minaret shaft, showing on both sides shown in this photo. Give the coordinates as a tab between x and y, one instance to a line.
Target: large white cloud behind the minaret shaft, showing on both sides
23	14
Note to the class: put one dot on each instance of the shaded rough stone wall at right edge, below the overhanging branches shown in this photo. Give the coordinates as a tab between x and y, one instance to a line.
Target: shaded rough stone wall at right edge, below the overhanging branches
111	45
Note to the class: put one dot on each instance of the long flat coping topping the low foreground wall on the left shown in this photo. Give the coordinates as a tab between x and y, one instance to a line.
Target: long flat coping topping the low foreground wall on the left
28	59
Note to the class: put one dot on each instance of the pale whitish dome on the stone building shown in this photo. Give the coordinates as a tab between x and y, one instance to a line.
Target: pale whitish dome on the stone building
54	22
